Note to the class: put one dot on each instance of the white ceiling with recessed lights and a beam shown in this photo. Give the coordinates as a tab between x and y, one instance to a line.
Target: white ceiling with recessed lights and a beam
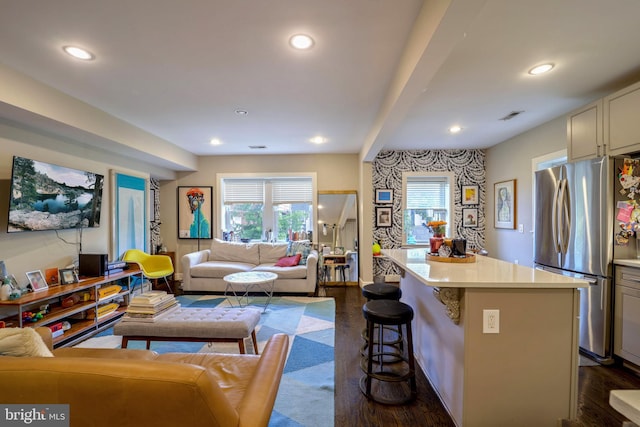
392	74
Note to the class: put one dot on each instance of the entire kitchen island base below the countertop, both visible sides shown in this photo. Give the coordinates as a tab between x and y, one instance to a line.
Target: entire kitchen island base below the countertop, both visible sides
525	375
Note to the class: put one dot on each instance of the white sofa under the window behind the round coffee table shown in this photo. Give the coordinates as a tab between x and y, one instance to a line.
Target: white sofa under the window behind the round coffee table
204	271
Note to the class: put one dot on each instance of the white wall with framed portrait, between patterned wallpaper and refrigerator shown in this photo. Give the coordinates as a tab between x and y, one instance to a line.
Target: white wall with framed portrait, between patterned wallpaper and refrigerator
512	160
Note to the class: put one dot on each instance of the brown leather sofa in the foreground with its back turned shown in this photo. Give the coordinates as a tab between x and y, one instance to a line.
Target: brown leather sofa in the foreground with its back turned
106	387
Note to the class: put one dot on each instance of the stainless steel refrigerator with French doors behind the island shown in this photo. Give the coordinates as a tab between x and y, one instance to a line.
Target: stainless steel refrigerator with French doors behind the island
573	236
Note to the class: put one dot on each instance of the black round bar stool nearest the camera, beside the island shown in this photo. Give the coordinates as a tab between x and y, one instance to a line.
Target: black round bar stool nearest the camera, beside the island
391	378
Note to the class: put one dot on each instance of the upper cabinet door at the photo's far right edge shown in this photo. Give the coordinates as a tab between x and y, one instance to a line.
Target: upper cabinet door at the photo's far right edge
622	121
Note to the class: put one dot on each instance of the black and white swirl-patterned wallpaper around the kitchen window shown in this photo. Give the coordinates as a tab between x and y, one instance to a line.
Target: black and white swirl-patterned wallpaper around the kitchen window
468	167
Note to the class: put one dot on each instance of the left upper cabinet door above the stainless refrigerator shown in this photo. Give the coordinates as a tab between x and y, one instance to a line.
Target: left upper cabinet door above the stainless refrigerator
584	132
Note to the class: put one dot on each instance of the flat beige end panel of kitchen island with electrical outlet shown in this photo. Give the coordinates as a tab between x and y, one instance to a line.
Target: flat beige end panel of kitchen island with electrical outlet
528	373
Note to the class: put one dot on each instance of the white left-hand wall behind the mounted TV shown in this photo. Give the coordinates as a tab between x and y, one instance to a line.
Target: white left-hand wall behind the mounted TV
39	250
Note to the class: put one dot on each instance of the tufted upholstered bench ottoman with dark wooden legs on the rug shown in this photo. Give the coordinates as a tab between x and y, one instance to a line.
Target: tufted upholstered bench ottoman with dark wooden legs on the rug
195	325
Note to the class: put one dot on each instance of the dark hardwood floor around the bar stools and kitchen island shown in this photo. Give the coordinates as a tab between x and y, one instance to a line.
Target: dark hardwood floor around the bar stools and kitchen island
353	409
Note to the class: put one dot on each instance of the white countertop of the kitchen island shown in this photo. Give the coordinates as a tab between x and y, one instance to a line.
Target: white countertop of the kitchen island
484	273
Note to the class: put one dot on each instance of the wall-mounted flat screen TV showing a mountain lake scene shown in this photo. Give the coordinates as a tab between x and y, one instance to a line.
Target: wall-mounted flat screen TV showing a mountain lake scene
51	197
